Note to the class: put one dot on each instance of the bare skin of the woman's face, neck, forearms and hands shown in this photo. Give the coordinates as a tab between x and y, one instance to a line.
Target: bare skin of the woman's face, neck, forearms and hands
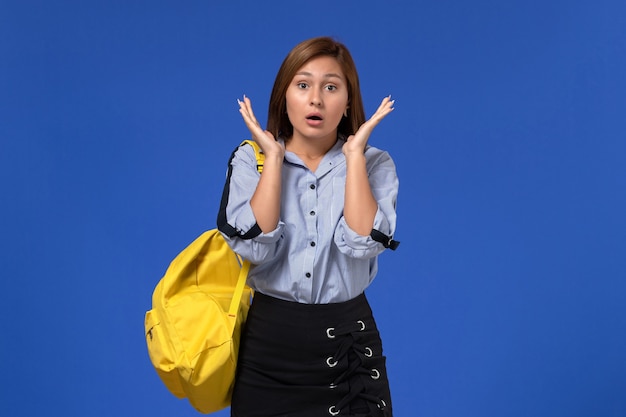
318	88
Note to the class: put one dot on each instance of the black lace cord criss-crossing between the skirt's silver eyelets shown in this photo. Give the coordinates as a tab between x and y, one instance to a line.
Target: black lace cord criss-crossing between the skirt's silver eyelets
349	344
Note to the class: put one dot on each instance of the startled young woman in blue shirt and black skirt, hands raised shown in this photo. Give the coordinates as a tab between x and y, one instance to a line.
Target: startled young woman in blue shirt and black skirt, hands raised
312	224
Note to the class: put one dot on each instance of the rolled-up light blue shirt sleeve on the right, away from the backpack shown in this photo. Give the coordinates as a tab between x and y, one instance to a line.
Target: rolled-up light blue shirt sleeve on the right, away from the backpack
384	184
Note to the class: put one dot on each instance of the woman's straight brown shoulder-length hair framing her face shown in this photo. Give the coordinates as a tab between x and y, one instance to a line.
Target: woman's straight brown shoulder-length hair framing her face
278	122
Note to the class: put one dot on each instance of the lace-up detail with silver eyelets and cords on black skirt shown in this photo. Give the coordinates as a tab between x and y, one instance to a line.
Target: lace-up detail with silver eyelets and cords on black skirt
359	371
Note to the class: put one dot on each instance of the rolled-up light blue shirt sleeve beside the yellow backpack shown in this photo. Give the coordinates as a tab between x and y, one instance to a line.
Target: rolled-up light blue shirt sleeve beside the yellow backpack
236	219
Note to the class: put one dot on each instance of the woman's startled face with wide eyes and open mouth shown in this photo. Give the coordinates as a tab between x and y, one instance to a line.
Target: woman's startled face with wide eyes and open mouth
317	98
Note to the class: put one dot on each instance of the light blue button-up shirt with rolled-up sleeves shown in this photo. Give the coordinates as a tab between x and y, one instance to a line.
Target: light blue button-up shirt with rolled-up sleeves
312	256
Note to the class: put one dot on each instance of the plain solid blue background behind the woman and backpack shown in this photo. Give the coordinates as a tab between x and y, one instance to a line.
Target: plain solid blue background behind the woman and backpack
507	296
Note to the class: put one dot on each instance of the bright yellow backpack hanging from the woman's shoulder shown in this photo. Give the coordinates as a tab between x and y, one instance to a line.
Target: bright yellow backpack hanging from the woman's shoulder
194	326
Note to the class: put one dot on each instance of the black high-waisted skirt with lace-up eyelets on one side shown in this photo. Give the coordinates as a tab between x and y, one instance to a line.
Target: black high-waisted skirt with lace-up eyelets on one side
310	360
